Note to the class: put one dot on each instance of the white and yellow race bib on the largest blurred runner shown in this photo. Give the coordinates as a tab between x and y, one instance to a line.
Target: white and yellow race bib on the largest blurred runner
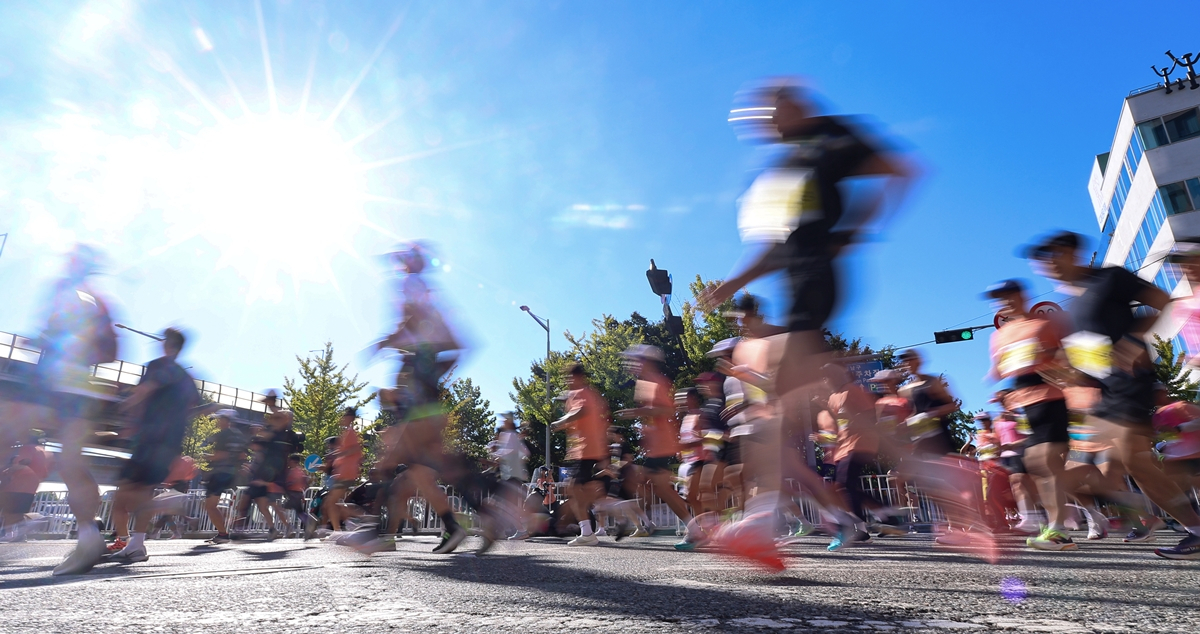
777	204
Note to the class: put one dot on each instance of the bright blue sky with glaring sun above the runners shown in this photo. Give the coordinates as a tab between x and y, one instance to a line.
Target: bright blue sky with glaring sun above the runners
548	149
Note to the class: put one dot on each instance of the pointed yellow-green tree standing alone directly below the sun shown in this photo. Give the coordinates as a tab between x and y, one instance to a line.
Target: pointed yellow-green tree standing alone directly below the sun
320	396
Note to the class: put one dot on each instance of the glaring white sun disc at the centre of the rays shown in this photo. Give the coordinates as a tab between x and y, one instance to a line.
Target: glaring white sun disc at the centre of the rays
275	195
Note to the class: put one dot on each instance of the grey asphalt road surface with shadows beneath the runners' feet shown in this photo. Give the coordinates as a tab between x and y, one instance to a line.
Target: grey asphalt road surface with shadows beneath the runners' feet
640	585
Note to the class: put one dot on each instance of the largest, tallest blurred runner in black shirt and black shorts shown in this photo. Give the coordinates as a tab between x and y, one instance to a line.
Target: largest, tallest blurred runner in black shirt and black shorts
796	208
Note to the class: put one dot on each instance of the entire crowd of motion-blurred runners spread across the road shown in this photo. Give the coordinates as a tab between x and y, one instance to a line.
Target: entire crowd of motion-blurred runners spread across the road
1078	409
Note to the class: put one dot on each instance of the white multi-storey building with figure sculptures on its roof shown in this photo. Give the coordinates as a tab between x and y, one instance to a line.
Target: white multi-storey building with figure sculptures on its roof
1147	190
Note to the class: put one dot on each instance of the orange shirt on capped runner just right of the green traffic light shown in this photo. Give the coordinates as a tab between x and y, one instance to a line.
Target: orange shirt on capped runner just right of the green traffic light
1022	348
